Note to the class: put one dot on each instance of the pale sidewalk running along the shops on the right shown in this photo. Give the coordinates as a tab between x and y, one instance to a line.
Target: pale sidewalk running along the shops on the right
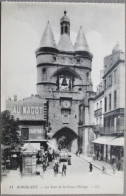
100	164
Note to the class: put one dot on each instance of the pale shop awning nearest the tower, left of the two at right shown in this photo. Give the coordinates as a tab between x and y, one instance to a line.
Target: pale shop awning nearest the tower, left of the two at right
103	140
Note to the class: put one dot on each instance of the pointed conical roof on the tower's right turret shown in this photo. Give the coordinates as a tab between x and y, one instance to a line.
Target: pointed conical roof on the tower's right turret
81	42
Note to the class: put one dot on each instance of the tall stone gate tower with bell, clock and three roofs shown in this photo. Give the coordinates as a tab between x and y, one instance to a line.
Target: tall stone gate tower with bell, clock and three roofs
63	78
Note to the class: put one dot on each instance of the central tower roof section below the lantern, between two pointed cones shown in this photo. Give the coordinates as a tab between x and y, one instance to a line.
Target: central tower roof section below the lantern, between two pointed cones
65	43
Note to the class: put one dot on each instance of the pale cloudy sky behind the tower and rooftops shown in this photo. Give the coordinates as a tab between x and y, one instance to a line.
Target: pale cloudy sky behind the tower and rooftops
22	27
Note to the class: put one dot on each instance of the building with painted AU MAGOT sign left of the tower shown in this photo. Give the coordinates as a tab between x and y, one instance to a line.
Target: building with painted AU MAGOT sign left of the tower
31	113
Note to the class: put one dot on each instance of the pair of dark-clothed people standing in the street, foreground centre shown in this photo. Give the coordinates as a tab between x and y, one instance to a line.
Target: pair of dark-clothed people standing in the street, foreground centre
57	167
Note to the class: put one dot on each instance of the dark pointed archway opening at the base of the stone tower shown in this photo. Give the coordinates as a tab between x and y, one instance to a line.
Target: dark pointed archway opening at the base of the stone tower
66	138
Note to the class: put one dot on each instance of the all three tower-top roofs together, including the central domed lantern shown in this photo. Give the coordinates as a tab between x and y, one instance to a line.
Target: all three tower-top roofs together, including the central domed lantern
65	44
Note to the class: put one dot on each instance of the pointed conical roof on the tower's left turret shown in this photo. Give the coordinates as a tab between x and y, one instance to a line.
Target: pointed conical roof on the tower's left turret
48	38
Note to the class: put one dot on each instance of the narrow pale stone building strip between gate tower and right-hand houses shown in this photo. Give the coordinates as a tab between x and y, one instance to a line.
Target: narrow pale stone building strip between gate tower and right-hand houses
86	130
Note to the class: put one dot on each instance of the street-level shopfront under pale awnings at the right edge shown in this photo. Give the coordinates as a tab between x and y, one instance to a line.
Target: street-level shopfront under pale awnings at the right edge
110	149
